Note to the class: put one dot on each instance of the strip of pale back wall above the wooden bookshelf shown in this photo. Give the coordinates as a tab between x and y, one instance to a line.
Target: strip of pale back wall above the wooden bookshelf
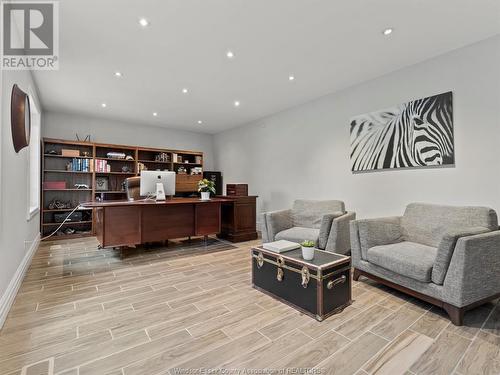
65	126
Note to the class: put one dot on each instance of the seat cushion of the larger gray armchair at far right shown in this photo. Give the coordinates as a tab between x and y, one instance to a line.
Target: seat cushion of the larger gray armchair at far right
406	258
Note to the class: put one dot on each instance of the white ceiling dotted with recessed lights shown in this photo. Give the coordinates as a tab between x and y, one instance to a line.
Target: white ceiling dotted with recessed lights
326	44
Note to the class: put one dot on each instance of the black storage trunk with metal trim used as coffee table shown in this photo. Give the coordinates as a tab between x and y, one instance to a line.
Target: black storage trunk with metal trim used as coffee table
320	287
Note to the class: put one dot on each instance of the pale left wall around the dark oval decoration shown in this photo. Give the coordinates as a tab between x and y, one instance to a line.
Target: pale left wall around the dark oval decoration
17	233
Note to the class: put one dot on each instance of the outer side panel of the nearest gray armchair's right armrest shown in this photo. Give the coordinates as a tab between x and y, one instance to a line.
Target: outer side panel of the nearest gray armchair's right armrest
474	271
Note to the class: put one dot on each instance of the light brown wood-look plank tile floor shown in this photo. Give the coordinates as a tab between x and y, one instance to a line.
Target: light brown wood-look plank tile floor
189	308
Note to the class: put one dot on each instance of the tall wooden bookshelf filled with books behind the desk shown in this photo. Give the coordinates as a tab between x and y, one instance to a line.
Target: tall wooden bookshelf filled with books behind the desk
103	175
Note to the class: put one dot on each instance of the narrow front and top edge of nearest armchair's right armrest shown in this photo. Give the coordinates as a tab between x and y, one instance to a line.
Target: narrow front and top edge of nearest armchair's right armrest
446	248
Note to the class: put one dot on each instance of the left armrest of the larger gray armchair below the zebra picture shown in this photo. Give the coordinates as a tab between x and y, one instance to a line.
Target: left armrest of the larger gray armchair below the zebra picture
379	231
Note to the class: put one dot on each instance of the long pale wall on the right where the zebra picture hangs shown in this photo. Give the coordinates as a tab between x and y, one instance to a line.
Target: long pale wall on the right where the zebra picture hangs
304	152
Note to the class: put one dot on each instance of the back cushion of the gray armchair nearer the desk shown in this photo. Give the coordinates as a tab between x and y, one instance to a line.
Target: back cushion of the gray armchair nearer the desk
309	213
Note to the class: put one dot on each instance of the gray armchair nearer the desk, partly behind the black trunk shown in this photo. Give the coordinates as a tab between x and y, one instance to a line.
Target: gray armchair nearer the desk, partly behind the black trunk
324	222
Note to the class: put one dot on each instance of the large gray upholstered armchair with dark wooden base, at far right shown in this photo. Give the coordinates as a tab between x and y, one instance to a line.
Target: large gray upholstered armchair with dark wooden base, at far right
448	256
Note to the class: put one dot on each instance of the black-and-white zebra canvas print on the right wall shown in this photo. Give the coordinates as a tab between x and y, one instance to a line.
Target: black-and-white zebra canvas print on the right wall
414	134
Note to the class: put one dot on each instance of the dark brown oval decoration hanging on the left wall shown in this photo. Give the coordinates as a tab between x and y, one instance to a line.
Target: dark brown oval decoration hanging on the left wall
20	118
